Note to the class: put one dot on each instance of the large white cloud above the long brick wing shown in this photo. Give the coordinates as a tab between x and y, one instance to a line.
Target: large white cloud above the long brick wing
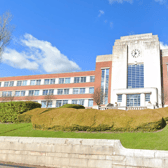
41	55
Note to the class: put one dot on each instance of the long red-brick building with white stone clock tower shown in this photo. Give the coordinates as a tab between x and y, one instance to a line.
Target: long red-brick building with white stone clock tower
134	75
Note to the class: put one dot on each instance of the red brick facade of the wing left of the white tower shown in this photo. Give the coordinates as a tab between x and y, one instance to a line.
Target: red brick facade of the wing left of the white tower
97	83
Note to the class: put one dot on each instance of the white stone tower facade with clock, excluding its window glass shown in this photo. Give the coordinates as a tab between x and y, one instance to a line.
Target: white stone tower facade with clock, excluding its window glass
132	50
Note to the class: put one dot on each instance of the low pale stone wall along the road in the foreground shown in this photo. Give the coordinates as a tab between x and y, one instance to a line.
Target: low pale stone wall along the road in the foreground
78	153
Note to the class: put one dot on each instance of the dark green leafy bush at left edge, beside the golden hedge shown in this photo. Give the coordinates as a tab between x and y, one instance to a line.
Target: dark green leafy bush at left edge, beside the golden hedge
9	111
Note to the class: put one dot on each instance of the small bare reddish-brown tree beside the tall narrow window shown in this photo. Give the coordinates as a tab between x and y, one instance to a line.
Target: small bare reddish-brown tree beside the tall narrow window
98	96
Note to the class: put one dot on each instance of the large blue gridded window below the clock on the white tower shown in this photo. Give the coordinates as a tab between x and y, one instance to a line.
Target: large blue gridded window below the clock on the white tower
135	76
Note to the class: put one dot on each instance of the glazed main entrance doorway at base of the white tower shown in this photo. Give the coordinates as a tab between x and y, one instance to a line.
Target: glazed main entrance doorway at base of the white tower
133	100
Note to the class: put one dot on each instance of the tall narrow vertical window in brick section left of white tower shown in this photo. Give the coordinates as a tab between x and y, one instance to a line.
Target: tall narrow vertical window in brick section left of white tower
104	85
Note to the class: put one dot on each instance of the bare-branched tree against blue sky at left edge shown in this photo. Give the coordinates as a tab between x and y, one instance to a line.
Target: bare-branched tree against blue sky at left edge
5	31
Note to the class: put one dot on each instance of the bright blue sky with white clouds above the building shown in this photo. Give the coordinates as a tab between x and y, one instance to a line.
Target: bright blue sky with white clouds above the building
56	36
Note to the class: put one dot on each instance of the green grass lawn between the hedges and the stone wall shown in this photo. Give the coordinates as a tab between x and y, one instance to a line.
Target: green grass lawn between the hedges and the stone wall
135	140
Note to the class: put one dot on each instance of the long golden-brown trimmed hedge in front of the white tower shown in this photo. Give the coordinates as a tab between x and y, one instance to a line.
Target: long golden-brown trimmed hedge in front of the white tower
63	119
